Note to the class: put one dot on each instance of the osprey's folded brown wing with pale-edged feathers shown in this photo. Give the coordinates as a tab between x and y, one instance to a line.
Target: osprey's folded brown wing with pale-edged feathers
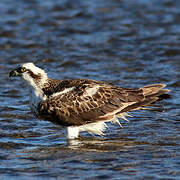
90	101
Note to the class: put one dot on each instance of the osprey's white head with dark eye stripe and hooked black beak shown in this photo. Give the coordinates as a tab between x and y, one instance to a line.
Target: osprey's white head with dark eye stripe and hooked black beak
32	74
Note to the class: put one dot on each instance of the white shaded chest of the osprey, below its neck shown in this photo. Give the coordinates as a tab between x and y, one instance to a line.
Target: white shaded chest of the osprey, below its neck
35	98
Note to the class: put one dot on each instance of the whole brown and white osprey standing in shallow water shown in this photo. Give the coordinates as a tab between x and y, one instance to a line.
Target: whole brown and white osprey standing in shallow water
83	104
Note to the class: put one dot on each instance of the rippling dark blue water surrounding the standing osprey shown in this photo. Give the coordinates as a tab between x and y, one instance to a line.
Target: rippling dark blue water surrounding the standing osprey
128	43
